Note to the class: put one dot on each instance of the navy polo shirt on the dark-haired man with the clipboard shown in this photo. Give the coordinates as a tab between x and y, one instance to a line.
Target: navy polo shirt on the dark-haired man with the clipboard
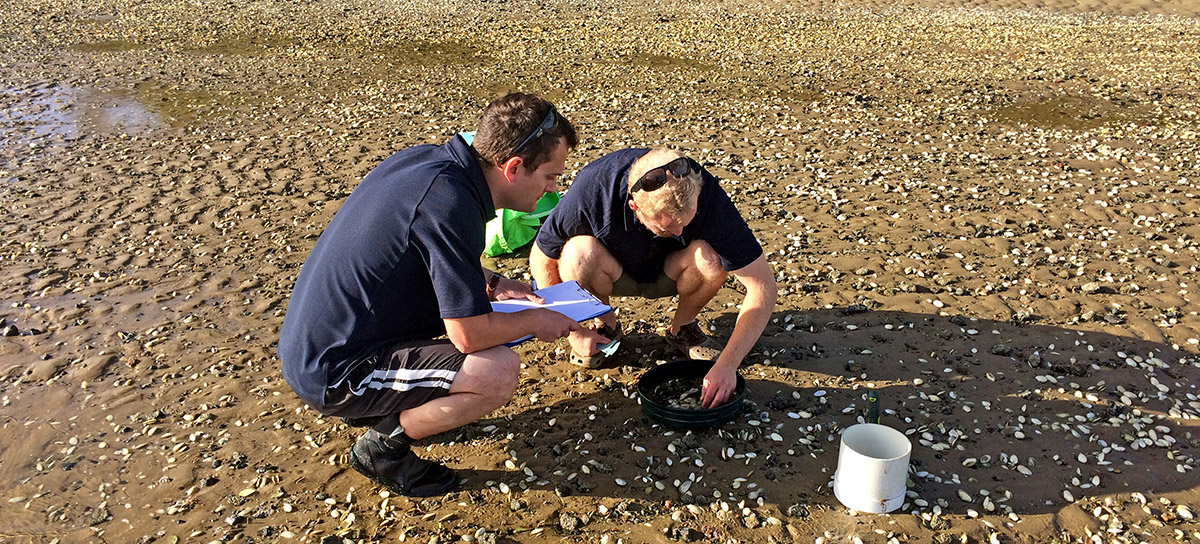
400	255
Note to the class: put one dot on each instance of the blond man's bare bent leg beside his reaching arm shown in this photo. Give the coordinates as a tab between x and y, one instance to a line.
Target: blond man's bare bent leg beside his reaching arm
699	277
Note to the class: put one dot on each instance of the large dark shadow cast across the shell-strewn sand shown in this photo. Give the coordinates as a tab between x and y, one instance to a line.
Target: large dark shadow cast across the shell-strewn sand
1024	416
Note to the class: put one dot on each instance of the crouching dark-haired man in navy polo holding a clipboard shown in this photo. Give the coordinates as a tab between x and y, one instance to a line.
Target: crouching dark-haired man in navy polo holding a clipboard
398	268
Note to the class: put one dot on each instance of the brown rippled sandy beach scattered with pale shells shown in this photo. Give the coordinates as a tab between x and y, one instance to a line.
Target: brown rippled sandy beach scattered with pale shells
985	211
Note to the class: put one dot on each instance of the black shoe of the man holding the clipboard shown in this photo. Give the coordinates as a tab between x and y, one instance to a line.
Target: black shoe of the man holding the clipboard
393	464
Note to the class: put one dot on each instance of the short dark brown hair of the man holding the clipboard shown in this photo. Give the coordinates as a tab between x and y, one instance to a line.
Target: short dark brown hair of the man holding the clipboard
509	121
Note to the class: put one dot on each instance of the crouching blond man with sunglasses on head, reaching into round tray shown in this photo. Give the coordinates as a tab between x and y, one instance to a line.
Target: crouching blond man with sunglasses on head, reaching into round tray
656	224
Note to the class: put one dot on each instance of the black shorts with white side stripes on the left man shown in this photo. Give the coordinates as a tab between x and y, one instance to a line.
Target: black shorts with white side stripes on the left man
398	378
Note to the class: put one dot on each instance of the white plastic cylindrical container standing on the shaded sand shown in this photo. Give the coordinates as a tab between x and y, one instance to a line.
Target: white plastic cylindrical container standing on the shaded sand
873	468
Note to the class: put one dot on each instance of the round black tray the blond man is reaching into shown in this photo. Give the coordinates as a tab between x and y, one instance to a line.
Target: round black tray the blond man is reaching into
683	419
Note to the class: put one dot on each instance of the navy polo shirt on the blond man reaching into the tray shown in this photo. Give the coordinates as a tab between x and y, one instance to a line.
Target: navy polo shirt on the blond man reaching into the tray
597	205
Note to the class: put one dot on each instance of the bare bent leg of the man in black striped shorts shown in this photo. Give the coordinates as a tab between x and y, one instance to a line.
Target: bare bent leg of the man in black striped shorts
487	381
